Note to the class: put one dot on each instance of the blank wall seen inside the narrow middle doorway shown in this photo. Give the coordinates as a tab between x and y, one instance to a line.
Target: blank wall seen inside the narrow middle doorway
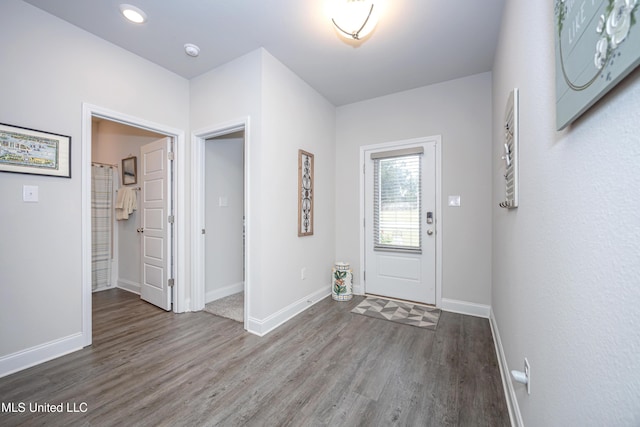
224	178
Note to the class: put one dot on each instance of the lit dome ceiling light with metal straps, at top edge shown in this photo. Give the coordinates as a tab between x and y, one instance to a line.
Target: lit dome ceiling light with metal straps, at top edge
354	19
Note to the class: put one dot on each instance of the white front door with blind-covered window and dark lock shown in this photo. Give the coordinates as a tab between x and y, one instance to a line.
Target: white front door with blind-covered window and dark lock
400	219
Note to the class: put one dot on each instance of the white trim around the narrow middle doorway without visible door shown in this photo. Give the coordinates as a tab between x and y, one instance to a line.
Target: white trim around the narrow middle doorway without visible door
198	140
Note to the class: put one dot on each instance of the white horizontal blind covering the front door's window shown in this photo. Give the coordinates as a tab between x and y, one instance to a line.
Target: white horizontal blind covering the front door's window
397	200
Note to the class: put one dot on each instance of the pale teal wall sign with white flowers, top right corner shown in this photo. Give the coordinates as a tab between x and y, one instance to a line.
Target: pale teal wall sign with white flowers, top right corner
597	45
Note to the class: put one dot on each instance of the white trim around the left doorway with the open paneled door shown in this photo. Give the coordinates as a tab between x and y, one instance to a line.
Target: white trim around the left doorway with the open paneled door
179	244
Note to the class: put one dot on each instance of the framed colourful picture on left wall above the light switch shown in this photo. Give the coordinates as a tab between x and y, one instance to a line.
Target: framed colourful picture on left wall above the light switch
31	151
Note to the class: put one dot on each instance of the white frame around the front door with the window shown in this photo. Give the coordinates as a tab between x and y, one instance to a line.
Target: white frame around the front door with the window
360	288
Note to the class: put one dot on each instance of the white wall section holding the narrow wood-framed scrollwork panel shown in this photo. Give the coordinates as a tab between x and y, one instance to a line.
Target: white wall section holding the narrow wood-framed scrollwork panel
294	117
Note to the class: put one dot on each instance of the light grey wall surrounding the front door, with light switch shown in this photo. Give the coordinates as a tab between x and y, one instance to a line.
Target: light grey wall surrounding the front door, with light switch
460	111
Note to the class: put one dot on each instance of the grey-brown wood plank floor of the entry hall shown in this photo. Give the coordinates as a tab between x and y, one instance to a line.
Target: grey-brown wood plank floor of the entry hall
326	367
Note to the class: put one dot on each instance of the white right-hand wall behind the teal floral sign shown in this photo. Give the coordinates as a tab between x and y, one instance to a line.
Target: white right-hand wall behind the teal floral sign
566	266
